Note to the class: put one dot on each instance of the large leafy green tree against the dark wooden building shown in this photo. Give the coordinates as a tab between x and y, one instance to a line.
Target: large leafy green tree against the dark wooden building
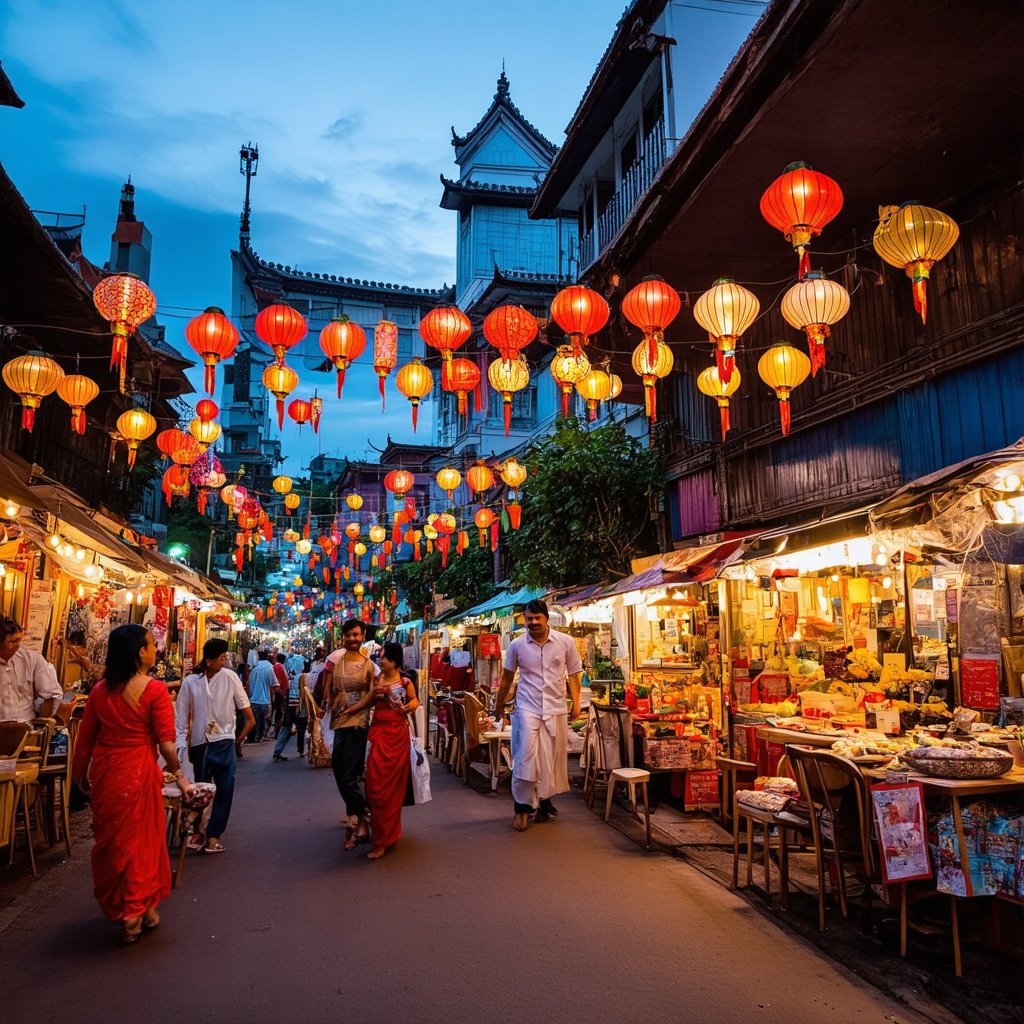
586	507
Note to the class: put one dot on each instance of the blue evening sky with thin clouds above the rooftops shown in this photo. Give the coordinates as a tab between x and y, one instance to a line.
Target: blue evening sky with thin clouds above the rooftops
352	106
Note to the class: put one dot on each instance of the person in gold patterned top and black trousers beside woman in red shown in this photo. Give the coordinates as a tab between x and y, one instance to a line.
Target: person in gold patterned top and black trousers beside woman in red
348	678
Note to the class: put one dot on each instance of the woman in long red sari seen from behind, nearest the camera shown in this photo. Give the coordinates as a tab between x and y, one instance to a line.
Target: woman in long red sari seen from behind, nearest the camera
129	715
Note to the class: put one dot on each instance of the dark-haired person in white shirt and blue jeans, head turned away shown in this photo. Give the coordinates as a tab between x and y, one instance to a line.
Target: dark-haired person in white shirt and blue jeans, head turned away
205	718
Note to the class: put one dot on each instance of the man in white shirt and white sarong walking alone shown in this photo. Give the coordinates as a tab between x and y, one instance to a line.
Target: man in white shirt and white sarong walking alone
545	659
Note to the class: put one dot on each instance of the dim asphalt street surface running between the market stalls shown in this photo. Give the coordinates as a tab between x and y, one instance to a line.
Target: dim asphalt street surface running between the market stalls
467	921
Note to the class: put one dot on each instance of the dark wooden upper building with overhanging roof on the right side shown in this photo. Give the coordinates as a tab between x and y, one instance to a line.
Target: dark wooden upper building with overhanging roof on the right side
899	398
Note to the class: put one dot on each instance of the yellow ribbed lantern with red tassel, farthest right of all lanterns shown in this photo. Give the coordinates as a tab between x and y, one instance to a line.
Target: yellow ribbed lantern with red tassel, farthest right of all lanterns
915	238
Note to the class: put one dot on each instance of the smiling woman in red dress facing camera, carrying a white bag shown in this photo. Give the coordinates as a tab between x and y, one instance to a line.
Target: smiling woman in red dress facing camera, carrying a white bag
388	777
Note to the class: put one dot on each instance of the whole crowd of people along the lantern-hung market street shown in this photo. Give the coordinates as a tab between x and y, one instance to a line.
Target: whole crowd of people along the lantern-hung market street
363	694
